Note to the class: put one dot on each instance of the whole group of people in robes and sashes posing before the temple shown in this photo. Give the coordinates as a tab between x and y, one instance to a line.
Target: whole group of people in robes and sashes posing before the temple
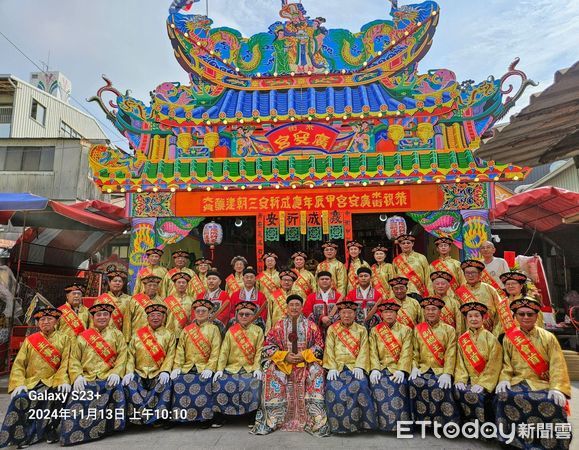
349	348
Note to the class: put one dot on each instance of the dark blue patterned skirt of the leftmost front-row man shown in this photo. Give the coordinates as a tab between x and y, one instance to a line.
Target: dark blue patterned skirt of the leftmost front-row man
20	428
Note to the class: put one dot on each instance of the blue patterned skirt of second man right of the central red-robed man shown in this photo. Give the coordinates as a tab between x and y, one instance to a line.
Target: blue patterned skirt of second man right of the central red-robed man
392	402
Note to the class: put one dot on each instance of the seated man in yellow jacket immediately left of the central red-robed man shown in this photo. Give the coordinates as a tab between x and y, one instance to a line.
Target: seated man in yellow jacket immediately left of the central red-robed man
237	382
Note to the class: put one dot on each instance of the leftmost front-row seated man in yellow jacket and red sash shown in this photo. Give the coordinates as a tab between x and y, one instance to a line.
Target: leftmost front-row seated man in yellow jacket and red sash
40	366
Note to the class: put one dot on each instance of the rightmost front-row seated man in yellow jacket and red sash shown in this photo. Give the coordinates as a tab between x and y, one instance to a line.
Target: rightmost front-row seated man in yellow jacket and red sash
534	382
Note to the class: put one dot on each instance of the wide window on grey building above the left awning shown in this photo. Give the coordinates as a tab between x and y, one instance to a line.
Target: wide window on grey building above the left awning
27	159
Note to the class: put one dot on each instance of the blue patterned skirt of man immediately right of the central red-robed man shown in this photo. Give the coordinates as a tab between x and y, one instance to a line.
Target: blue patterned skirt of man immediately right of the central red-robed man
349	404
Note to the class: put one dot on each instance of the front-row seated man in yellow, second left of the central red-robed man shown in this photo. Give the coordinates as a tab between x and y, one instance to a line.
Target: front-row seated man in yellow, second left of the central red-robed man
195	361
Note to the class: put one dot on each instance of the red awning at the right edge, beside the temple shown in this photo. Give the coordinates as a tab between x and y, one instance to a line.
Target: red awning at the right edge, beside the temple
543	209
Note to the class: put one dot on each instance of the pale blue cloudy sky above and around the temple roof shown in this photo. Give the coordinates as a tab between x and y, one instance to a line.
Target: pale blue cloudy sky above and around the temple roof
126	39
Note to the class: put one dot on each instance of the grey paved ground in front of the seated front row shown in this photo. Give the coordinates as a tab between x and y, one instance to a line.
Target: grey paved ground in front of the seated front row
236	436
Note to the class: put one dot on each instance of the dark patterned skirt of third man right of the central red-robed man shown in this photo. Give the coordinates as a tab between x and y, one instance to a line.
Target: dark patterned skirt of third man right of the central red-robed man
431	403
